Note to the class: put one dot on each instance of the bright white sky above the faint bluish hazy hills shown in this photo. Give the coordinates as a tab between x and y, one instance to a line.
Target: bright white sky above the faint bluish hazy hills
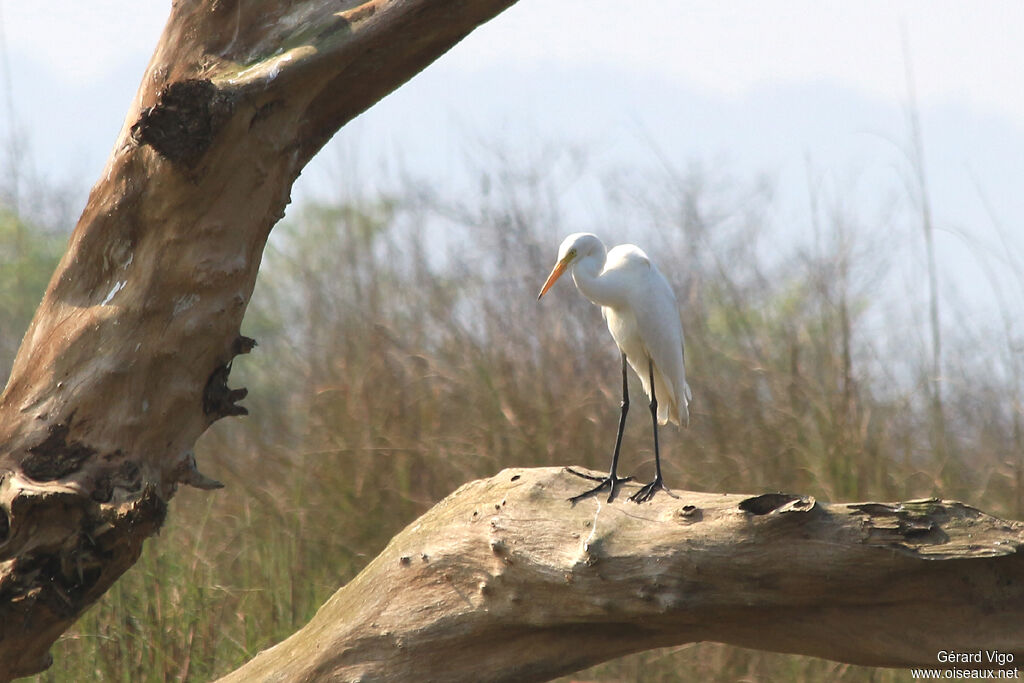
969	53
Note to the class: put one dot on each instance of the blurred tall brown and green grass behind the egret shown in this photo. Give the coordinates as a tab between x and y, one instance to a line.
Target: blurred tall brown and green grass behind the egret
403	353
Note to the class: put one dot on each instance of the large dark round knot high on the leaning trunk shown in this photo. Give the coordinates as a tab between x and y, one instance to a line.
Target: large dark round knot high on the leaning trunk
185	121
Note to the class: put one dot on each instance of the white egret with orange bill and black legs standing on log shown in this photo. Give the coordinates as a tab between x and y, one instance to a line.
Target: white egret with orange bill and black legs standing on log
643	315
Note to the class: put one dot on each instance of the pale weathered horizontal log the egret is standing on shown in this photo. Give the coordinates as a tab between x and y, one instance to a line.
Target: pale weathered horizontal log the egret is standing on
506	581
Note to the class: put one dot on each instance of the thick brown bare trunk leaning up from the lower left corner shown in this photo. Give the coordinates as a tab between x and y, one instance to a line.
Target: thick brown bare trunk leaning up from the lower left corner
126	362
